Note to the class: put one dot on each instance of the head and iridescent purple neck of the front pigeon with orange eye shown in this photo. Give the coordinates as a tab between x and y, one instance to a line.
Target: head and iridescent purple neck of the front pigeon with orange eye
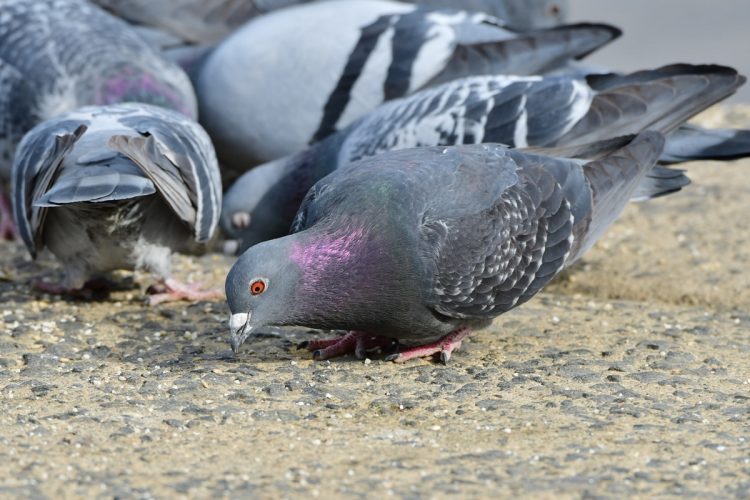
329	277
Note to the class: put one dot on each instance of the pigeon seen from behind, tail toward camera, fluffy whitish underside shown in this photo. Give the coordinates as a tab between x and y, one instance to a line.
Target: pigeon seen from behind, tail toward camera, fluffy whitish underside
117	187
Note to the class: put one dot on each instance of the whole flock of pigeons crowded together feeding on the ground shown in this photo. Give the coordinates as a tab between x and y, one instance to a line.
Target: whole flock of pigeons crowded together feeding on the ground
402	171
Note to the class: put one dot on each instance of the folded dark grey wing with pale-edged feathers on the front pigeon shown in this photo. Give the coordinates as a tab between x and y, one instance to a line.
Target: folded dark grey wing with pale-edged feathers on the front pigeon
499	256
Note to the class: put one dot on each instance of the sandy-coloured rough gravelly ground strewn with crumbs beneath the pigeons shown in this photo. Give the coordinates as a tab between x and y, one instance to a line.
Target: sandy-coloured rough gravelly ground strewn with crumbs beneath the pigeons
630	375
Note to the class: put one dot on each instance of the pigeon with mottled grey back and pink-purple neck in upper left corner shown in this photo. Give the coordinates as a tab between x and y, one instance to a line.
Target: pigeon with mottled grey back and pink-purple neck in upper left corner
59	55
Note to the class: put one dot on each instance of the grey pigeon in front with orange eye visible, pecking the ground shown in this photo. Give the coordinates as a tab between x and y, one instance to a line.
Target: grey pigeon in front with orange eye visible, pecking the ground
424	245
